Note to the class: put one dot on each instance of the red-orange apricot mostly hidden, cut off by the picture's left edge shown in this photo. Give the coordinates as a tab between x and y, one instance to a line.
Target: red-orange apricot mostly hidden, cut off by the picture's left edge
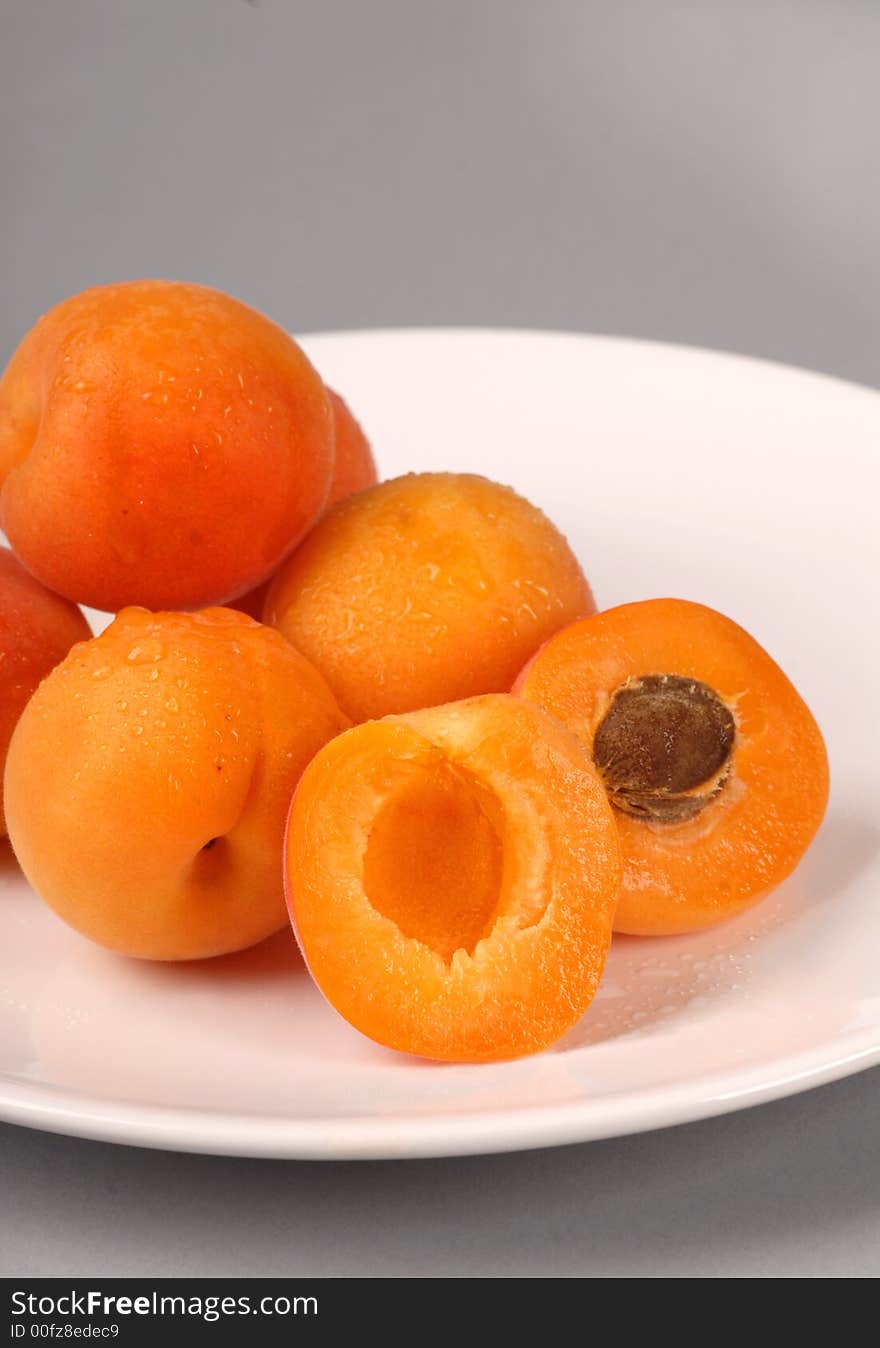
37	630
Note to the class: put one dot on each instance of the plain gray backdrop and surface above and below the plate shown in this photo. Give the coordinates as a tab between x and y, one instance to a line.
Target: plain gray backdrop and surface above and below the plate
700	172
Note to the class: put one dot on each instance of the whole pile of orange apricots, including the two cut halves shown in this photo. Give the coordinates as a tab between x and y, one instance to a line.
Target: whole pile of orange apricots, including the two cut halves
387	714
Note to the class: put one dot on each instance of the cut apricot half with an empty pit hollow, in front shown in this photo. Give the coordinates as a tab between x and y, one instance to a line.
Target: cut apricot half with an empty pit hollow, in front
452	877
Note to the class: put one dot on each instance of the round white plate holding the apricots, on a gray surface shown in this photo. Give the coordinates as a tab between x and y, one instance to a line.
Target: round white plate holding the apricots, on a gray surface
747	486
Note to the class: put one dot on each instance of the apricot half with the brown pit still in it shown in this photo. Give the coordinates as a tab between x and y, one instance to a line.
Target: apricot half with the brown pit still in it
712	761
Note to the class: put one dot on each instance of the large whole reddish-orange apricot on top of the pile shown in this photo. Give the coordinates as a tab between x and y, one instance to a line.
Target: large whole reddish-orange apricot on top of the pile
161	444
